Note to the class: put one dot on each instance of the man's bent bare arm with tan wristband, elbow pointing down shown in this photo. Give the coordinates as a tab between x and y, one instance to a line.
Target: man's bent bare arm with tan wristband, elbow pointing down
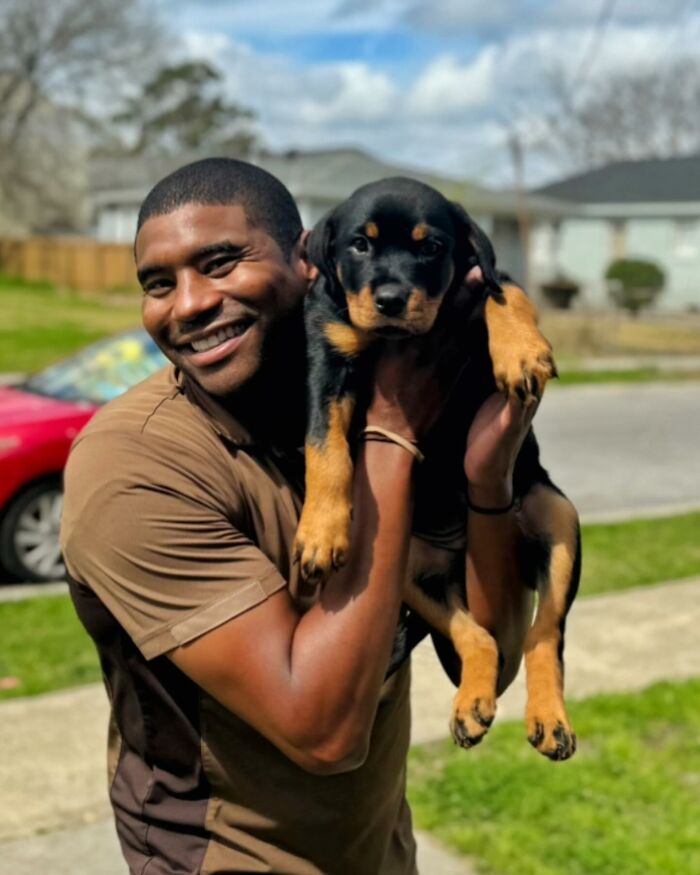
310	683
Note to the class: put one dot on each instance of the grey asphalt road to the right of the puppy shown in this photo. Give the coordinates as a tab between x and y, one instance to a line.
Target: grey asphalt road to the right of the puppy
623	450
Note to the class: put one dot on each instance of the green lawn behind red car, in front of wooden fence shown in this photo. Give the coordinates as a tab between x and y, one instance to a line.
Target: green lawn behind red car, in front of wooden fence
40	324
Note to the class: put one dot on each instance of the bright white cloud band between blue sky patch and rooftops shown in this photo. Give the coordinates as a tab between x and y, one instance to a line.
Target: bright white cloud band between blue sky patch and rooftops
449	115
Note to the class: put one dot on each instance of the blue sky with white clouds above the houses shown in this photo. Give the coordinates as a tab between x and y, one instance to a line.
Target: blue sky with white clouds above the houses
431	85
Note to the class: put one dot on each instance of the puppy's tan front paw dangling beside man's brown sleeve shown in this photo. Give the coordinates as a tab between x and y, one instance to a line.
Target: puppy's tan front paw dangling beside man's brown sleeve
322	541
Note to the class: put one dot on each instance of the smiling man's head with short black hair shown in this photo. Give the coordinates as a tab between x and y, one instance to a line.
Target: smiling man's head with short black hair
219	256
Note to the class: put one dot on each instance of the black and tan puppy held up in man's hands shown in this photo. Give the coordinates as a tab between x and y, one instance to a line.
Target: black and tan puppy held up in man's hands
392	261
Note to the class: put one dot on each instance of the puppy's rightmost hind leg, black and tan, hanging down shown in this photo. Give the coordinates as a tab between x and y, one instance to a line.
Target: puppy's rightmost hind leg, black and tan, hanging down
550	519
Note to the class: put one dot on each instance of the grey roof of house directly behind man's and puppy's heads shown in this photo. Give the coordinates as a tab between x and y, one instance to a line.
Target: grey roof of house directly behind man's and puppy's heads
328	175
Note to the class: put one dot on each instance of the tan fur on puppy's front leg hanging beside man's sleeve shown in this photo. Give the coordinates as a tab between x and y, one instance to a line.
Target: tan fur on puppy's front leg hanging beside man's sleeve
323	532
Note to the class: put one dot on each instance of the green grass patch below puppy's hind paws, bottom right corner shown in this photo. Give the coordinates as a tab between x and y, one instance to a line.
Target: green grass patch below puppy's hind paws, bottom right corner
627	804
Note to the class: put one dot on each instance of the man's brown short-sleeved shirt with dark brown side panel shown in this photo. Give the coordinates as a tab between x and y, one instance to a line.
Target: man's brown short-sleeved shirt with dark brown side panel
176	521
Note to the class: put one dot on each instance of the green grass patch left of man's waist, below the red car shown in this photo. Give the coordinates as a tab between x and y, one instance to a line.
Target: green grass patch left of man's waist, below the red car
44	647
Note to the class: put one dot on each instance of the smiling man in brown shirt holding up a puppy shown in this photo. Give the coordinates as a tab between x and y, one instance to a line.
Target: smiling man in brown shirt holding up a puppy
248	734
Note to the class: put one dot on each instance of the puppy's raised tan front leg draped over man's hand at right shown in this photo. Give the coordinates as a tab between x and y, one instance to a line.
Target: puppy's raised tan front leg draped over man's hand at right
521	355
